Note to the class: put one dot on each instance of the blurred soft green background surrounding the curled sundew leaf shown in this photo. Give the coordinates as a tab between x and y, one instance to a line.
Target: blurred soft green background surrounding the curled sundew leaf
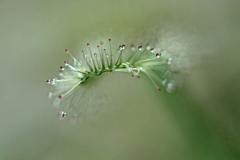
200	121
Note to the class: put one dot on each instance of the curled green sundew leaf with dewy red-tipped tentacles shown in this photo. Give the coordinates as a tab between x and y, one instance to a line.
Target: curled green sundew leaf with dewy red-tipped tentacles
72	85
